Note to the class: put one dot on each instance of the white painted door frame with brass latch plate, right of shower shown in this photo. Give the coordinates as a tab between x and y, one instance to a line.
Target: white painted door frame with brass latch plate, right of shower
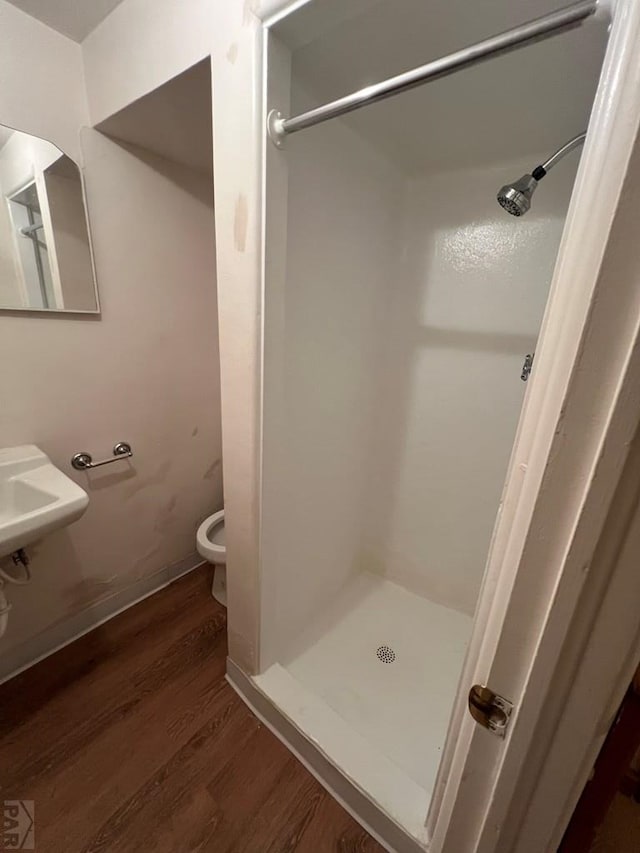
540	598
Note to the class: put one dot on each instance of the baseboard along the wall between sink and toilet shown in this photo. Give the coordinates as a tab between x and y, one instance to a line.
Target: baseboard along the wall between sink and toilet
47	642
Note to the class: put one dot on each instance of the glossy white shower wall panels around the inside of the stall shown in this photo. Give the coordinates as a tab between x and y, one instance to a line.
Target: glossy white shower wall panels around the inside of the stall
404	335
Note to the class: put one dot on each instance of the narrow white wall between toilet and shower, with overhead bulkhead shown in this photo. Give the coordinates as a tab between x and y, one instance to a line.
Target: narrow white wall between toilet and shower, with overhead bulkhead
141	44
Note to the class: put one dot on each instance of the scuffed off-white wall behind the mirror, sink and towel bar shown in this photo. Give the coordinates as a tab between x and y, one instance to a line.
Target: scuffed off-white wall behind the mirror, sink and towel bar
146	371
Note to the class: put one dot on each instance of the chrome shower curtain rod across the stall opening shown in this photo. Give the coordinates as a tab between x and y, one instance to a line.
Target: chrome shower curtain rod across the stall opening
538	29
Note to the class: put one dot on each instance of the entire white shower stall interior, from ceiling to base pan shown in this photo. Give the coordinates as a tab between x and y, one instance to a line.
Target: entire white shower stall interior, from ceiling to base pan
402	310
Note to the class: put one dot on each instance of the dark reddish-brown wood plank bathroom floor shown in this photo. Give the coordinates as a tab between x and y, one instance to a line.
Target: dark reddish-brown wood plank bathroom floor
130	740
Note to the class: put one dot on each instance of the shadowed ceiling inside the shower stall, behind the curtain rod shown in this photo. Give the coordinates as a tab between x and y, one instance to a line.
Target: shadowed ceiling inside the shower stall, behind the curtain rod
527	102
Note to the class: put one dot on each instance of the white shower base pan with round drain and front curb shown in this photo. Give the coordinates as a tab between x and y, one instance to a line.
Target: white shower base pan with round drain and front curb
364	699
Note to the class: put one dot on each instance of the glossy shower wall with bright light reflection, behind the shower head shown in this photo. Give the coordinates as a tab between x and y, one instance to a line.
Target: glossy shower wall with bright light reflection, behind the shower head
465	308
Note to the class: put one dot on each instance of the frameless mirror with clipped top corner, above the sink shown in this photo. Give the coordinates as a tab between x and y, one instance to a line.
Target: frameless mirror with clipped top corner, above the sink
45	250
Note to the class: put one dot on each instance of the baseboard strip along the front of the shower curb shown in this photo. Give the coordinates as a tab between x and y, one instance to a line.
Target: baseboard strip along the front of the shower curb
376	822
